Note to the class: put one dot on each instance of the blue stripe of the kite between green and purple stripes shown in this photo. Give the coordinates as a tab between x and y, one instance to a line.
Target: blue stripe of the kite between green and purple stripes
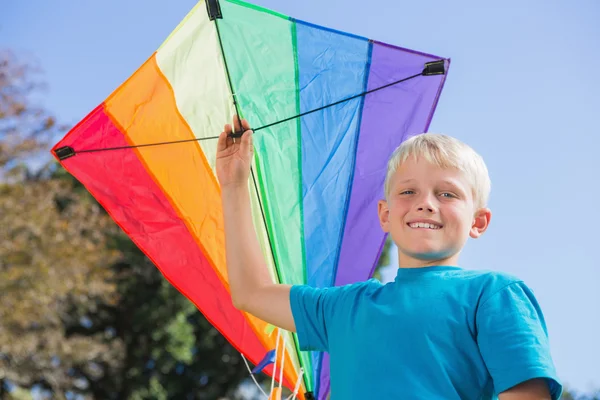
331	66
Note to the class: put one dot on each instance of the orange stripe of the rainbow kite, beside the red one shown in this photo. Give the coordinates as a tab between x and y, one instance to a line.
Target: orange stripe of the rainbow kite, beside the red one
144	106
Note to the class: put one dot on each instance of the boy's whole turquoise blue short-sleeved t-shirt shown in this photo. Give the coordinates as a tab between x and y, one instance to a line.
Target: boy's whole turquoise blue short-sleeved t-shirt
433	333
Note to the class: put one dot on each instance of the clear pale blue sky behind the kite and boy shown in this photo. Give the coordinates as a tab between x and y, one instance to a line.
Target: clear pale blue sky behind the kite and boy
522	90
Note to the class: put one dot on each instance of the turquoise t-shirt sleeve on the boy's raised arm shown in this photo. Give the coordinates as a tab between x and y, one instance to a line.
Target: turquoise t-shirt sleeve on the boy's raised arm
312	309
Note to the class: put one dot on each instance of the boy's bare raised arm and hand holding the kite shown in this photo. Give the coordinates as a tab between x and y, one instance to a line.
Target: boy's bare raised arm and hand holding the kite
251	286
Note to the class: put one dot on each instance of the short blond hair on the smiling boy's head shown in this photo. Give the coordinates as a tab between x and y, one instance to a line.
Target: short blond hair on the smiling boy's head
445	152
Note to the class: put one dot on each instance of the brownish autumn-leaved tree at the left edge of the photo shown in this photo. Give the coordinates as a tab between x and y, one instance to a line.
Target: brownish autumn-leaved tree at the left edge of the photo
50	245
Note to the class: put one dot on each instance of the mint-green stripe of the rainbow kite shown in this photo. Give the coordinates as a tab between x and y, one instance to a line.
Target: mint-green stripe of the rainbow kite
259	47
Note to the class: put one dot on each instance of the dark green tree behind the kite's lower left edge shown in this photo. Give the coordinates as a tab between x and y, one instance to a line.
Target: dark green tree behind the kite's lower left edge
170	350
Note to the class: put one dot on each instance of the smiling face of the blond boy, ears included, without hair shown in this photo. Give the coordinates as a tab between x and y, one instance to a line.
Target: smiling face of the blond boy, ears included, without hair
430	213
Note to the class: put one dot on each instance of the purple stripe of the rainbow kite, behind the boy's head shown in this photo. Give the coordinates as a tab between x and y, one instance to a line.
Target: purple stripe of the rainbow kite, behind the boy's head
389	117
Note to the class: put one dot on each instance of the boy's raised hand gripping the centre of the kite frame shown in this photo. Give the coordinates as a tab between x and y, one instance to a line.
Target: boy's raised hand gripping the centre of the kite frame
234	156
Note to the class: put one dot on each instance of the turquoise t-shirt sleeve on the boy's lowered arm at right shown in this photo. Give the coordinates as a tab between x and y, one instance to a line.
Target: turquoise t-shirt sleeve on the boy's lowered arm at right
513	339
